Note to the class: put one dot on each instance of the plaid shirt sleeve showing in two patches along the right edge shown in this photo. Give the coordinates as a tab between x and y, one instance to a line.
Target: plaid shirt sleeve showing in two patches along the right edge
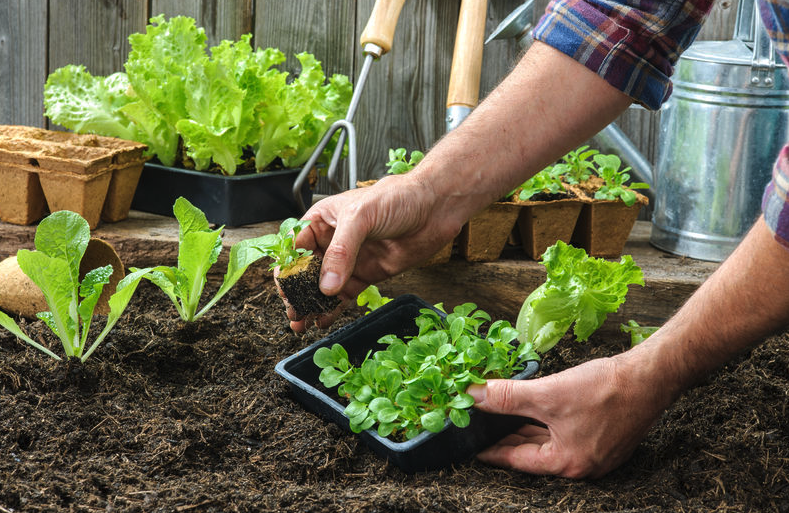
775	202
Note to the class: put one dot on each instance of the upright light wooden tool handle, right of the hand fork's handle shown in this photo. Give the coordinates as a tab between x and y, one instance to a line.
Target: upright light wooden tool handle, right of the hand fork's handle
467	57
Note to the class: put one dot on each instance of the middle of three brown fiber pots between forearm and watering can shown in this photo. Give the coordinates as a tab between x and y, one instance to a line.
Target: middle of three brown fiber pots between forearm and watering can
542	223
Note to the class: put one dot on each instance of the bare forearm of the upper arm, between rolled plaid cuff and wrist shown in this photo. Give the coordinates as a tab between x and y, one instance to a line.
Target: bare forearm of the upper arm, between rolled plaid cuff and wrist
548	105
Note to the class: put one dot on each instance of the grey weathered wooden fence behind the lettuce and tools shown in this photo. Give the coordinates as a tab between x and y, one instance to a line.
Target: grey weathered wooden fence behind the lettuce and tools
403	104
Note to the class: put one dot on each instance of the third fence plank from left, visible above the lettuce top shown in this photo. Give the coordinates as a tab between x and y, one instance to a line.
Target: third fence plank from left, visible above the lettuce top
221	19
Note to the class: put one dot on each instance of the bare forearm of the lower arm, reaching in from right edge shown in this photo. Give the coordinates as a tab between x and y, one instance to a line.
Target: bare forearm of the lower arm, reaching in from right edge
743	302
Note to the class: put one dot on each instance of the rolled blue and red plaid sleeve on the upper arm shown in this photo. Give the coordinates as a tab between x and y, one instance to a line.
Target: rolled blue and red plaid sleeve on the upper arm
632	44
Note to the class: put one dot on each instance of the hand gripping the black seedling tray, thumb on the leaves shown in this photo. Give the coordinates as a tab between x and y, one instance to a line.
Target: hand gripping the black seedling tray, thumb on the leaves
596	414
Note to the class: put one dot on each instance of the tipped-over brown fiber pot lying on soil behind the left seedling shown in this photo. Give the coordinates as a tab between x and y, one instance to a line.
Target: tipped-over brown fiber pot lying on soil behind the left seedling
20	296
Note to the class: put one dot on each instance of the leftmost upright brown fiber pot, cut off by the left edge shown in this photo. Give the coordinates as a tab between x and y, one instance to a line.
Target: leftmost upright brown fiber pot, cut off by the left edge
21	197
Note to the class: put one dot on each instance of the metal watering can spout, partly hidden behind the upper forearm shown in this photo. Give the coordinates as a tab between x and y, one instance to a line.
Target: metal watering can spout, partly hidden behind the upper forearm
517	25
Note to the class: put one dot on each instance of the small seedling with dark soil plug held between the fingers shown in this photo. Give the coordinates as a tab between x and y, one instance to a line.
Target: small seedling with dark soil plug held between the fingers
299	269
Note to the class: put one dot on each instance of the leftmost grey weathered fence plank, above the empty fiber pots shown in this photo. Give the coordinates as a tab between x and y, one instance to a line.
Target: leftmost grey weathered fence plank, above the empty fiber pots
23	36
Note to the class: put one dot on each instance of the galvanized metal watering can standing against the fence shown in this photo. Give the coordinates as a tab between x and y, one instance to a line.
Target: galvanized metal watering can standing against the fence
720	132
